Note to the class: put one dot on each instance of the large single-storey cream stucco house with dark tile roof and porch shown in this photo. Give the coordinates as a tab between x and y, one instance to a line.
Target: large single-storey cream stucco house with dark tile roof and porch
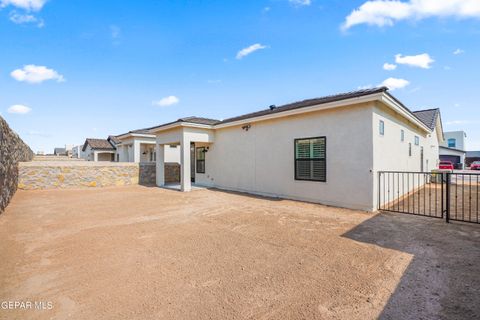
327	150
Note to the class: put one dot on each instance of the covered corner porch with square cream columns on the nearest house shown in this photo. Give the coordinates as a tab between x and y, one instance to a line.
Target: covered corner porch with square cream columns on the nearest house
194	143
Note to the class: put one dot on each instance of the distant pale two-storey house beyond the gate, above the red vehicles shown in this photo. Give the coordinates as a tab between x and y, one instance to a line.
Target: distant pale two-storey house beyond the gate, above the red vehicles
453	149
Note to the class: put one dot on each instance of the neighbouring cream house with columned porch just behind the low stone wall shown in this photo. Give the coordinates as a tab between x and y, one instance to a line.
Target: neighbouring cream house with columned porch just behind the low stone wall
139	146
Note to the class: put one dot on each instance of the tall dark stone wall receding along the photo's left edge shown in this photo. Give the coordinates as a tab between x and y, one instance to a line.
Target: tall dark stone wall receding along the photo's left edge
12	151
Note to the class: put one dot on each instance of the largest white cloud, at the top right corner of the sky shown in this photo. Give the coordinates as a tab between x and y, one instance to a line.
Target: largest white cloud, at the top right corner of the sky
386	12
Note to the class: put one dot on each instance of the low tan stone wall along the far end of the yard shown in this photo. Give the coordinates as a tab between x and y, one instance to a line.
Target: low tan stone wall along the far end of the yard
64	174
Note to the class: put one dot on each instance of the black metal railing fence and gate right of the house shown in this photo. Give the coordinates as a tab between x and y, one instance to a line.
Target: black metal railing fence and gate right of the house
453	196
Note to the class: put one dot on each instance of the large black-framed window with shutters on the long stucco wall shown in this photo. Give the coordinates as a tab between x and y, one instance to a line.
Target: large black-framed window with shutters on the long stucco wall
311	159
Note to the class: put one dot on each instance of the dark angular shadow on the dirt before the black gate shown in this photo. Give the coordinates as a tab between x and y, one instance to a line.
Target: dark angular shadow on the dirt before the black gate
443	279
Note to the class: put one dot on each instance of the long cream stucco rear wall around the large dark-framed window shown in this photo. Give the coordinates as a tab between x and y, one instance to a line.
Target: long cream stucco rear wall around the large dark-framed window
261	160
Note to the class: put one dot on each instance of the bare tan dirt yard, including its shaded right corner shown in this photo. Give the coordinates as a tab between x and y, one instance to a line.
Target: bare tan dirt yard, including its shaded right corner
149	253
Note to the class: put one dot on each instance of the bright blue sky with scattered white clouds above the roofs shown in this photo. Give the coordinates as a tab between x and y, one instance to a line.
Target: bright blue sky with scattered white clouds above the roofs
79	68
